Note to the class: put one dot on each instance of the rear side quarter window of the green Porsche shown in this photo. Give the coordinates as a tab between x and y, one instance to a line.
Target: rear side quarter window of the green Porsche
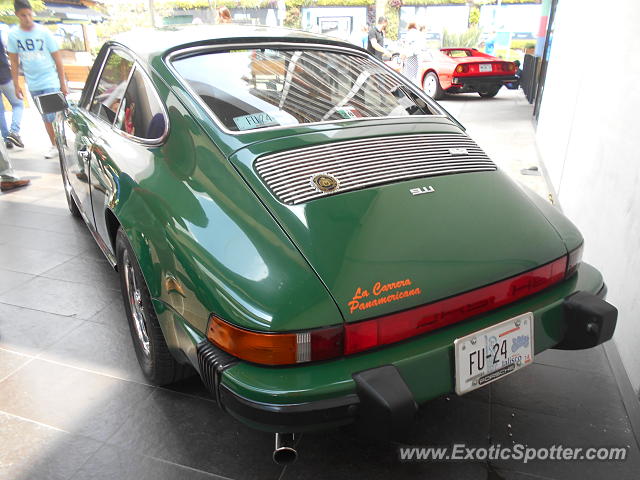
141	114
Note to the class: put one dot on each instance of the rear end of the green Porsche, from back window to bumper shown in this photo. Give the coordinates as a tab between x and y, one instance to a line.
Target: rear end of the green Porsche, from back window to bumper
421	242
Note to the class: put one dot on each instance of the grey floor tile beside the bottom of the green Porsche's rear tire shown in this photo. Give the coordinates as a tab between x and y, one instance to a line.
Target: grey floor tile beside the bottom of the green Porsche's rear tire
100	348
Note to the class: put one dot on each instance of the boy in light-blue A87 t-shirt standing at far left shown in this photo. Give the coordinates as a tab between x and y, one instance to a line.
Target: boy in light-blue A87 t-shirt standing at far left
37	50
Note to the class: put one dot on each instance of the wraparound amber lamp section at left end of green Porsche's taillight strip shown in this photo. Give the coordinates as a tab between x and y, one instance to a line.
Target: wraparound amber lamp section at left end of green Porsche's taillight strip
276	348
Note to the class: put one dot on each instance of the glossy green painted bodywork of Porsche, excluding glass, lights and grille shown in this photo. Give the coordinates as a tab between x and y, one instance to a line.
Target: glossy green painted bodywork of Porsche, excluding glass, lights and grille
210	237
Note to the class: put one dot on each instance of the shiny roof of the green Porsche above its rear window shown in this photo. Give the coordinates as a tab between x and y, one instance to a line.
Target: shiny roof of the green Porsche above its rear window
150	43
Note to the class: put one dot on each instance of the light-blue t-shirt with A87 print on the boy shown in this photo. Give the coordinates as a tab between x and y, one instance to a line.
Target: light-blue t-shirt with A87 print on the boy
34	48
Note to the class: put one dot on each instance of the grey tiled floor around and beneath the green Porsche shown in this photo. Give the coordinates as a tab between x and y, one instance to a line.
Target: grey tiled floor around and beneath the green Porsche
74	405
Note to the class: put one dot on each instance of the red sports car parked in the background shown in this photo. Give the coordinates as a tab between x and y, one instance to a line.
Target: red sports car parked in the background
463	70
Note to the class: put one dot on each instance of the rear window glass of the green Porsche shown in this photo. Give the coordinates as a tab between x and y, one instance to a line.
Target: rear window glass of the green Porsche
251	89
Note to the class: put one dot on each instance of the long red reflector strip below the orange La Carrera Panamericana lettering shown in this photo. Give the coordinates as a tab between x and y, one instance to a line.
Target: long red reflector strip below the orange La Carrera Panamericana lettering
399	326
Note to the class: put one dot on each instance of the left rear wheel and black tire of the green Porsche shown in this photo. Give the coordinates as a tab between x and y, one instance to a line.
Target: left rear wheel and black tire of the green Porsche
155	359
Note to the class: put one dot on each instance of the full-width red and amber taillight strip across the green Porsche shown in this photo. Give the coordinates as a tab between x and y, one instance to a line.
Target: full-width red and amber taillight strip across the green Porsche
325	343
